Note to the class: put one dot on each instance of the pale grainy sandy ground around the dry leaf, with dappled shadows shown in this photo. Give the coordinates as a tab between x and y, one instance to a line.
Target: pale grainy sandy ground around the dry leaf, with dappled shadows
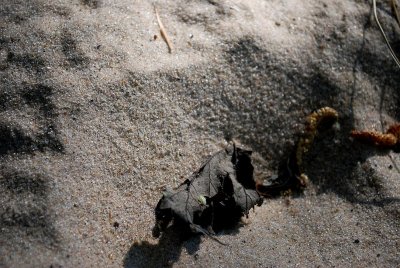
96	118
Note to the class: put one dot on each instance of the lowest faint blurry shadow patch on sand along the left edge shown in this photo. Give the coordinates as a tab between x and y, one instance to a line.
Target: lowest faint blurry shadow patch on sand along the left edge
25	209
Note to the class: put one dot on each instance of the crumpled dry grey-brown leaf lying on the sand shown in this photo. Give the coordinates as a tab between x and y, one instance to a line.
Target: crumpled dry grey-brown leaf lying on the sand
216	195
